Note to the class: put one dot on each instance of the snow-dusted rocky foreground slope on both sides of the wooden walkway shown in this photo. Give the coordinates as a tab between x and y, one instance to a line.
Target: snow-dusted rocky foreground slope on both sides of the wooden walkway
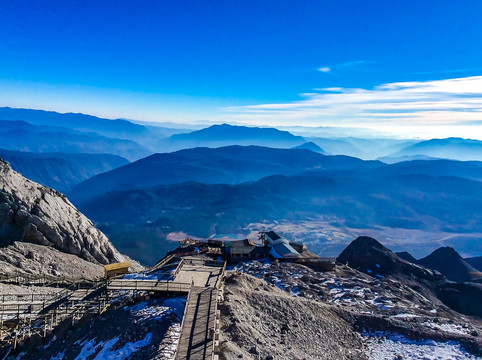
277	310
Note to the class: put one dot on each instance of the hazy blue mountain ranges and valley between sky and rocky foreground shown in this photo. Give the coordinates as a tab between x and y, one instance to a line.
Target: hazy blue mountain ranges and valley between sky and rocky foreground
236	180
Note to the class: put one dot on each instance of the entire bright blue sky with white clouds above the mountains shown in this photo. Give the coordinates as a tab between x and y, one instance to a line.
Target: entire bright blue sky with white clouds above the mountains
257	62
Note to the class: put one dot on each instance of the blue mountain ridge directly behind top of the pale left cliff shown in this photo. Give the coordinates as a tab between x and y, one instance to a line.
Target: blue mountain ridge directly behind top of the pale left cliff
60	171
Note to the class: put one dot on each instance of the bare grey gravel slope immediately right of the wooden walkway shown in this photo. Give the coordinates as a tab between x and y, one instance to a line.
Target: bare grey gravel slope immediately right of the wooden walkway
260	321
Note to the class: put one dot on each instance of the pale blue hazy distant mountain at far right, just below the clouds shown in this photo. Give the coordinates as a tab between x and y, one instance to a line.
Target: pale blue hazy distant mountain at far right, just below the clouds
450	148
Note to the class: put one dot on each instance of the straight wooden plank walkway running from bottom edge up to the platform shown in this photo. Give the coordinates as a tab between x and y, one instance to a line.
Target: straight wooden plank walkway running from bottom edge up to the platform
195	341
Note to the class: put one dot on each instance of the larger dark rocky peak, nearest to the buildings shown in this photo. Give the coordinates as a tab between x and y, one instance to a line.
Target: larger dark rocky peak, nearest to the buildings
369	256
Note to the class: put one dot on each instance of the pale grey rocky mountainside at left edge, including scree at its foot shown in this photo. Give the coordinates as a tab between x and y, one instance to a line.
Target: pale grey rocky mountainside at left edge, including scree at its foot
40	223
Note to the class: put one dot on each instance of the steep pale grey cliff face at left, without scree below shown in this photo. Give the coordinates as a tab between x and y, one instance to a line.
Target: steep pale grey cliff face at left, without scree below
32	213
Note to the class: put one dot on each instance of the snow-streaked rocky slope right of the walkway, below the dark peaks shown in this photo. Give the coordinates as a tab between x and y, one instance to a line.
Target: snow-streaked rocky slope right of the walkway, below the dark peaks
396	317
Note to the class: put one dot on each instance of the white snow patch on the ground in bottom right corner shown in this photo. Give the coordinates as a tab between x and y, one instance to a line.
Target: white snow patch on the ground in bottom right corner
383	346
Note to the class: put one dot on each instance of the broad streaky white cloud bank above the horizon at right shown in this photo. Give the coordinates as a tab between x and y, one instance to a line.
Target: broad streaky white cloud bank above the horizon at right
441	102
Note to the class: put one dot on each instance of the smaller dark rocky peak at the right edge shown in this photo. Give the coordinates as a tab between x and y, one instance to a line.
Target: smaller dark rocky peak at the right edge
451	264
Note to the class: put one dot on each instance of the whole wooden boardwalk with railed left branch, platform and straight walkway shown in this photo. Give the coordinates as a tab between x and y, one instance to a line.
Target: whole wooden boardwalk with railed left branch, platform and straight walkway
23	315
